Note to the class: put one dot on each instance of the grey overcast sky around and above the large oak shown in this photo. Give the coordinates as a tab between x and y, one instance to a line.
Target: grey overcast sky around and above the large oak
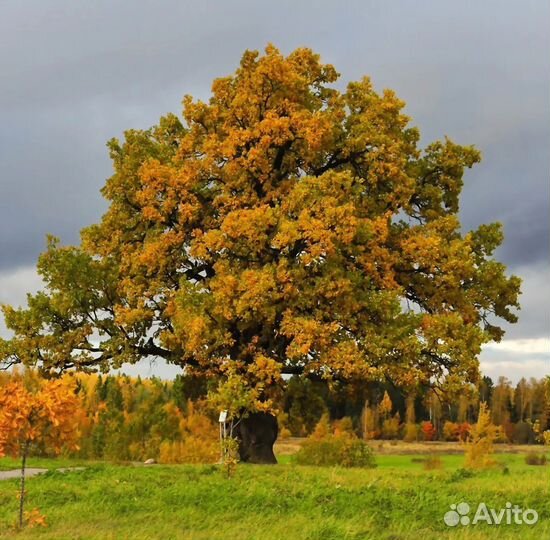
74	74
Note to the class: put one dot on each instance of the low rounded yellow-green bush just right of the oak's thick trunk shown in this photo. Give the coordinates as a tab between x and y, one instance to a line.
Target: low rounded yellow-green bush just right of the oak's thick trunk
344	450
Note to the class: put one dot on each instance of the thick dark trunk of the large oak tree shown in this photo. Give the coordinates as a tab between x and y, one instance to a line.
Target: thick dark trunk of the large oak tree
257	434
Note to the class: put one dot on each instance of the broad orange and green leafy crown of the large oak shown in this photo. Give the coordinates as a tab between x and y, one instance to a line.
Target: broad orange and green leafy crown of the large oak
283	227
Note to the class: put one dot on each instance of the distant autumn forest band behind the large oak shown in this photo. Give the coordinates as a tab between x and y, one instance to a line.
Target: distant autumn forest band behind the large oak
126	418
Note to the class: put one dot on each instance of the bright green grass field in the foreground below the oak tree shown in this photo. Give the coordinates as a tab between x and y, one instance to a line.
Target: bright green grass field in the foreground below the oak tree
397	500
